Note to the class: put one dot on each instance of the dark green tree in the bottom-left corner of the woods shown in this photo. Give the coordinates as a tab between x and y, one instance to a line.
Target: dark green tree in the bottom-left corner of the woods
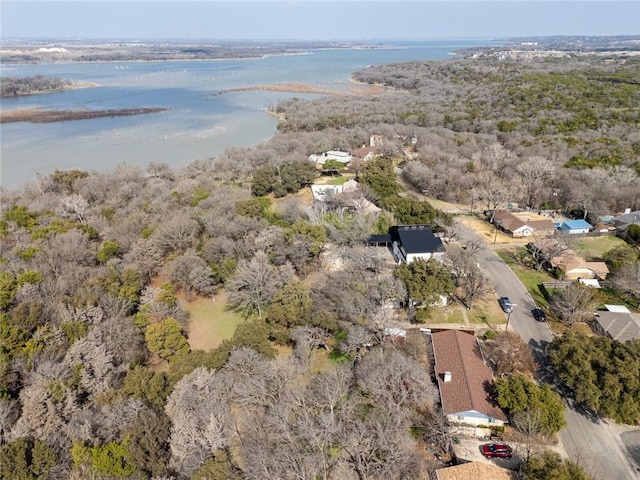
26	459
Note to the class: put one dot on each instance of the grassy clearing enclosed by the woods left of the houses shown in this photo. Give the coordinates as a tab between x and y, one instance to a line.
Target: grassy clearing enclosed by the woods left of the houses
210	323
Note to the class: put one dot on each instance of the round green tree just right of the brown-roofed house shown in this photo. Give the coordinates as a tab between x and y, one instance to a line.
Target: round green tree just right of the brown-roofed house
517	393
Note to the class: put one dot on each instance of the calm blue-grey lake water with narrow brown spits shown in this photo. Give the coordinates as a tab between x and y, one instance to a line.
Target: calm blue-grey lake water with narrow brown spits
198	125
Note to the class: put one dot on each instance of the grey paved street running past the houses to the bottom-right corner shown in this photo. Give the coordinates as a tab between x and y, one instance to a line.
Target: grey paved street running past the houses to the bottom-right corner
593	443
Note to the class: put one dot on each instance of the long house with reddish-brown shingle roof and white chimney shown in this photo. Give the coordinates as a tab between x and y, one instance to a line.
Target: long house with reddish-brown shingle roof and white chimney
464	380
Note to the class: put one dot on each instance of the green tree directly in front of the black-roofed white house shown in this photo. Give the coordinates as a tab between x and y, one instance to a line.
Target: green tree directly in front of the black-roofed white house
426	280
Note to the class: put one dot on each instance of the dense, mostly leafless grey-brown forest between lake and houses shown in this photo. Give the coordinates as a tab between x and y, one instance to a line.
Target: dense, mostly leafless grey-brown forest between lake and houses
97	377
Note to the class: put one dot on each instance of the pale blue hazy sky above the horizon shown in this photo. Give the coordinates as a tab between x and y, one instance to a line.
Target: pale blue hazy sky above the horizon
314	19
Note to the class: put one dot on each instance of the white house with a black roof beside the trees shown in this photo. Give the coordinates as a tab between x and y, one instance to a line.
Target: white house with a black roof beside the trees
409	242
